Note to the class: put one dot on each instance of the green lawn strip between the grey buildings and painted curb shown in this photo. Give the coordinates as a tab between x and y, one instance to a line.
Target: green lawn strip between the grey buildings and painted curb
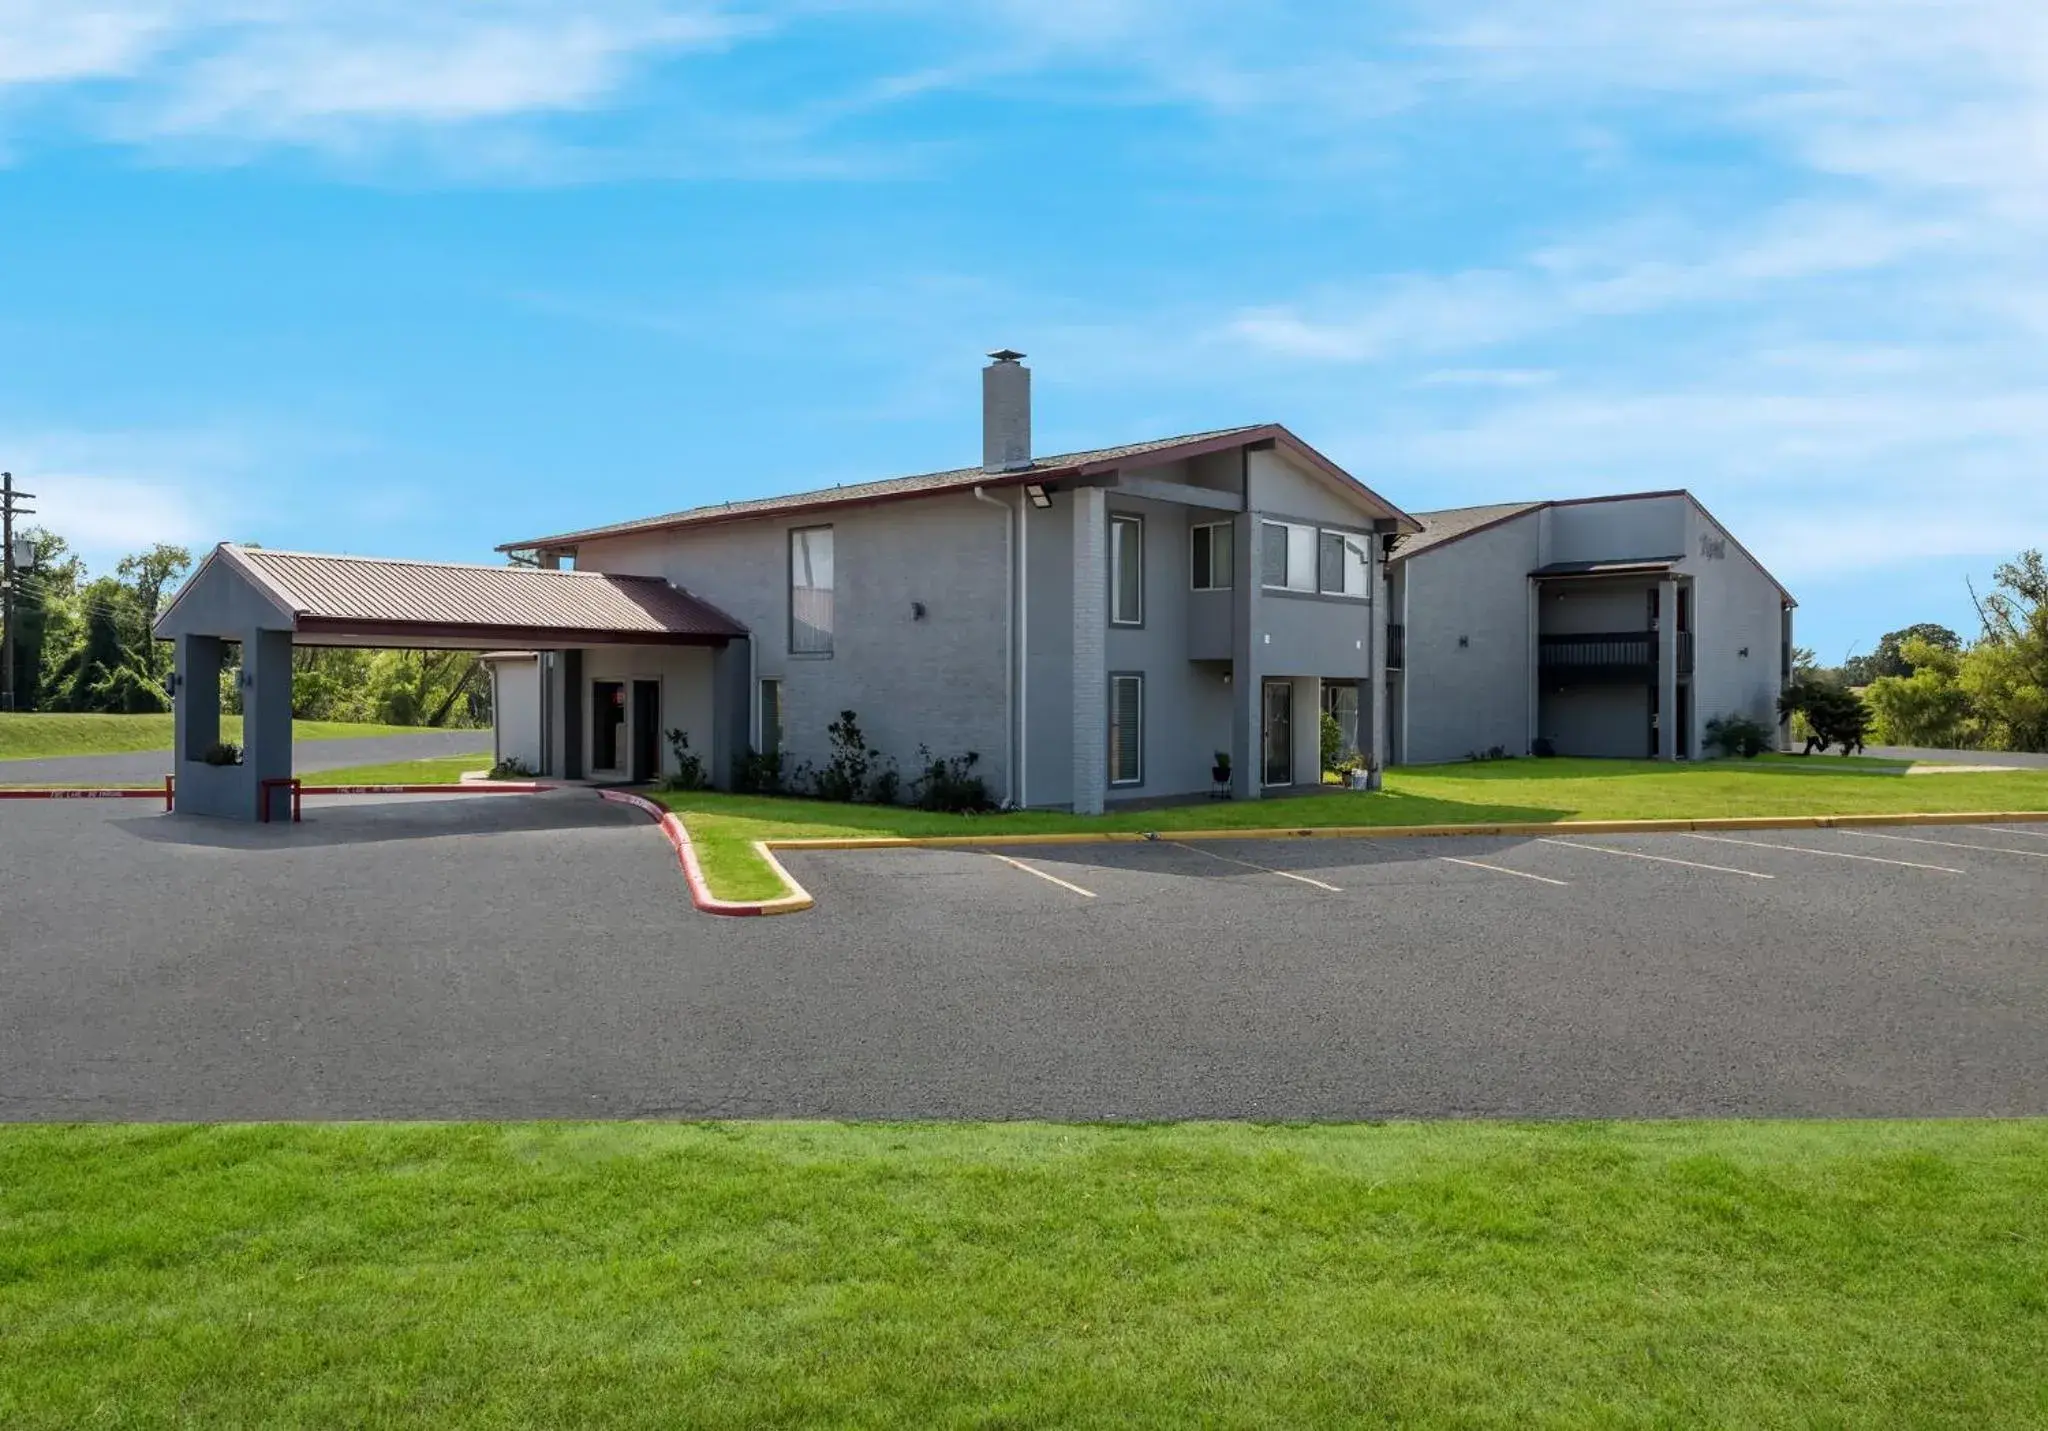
726	828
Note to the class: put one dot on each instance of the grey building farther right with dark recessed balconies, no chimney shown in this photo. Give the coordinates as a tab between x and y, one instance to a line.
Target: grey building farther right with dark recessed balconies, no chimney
1584	627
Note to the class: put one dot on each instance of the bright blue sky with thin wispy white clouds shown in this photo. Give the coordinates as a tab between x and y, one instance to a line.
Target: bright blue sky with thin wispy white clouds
415	279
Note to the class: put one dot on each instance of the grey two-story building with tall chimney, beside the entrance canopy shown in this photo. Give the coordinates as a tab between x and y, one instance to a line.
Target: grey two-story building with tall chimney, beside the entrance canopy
1097	627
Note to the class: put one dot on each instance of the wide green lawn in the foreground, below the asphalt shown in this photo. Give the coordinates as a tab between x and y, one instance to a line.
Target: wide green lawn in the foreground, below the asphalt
1025	1276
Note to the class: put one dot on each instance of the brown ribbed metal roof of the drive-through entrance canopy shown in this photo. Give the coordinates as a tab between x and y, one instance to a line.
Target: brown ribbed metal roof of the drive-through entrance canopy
378	597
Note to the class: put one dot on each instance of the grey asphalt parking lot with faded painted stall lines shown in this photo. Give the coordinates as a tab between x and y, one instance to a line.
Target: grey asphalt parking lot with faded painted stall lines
538	957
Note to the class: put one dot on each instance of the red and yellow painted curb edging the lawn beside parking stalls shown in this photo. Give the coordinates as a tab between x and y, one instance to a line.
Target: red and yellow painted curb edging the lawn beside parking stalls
802	900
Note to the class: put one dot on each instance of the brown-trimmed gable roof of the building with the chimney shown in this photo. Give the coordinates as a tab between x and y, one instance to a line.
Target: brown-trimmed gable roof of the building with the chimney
1043	470
